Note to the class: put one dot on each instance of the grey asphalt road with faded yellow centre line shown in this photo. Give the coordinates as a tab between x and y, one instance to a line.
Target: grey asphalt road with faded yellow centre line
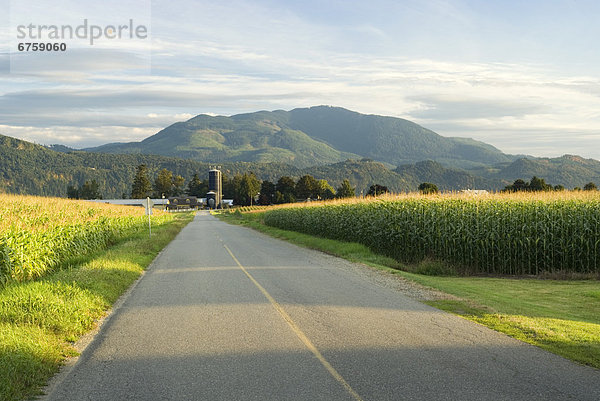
225	313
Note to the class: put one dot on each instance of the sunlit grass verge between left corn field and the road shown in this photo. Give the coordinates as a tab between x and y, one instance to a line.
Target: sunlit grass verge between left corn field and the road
39	320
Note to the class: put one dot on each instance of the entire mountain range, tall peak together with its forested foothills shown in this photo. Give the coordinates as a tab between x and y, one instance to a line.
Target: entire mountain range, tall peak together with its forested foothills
326	142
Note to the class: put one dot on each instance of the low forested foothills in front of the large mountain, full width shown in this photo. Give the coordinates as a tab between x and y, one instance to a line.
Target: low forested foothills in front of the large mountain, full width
27	168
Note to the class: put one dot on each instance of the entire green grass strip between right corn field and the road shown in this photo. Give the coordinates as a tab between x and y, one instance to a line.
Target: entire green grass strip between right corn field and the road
561	316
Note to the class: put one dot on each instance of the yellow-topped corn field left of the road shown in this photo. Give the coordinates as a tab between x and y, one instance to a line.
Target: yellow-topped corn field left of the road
37	235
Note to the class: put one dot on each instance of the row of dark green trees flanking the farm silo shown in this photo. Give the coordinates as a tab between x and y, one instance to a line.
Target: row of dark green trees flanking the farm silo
245	189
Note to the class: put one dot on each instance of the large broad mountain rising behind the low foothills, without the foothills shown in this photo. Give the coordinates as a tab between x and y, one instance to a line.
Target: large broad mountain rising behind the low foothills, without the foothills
307	137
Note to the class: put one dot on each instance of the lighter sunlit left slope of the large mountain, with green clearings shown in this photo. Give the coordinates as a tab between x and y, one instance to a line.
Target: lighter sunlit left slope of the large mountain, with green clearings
258	137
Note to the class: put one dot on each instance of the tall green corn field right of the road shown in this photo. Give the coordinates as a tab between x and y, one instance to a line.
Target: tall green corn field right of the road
515	235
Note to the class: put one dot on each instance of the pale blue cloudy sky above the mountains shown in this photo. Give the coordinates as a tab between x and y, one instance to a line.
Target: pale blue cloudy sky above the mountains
523	76
